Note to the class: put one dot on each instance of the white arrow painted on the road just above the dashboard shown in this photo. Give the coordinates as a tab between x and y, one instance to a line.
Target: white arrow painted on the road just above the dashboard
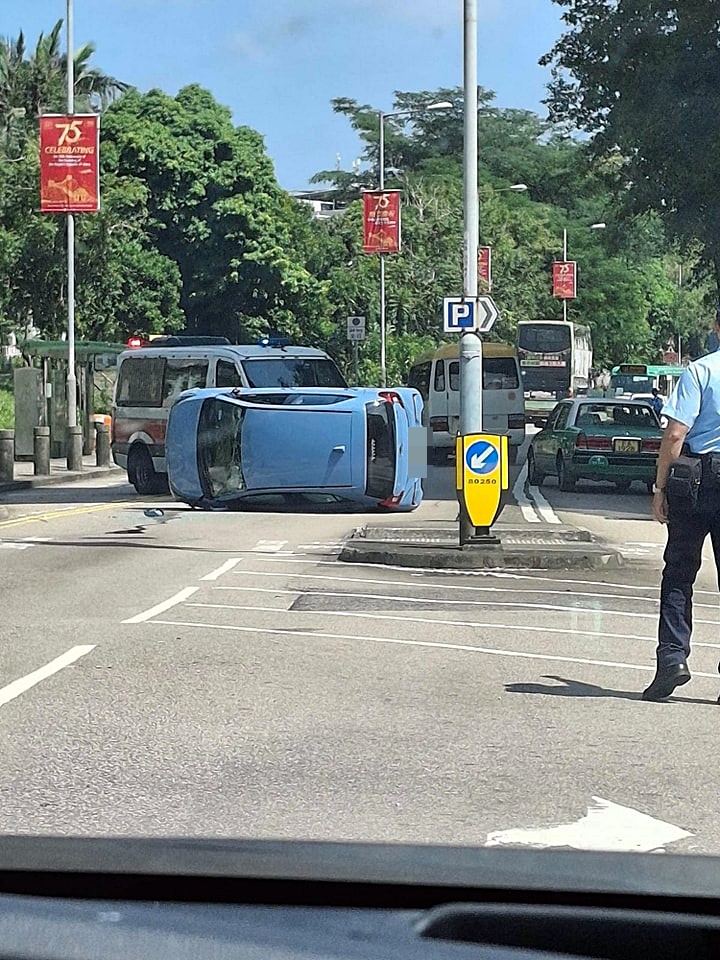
605	826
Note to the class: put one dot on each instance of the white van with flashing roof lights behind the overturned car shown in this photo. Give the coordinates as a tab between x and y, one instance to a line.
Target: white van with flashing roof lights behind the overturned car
151	376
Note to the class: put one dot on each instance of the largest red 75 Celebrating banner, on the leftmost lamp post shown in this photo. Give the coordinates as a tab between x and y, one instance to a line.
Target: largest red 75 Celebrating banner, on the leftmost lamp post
69	163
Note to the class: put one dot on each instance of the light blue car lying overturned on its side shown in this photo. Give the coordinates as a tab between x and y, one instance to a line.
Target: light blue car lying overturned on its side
358	445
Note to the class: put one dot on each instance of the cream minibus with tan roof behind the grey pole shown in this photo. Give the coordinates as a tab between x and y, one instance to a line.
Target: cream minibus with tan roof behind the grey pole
437	376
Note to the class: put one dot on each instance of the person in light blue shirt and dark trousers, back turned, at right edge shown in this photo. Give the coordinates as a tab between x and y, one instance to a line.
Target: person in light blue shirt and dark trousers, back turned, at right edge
693	428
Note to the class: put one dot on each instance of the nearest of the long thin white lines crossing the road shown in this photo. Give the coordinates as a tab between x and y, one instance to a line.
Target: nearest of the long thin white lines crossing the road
293	634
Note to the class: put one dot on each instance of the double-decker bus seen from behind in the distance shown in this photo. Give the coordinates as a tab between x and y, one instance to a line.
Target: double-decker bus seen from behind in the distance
555	360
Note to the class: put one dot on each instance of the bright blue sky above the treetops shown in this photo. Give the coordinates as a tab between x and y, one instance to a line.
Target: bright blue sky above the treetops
278	63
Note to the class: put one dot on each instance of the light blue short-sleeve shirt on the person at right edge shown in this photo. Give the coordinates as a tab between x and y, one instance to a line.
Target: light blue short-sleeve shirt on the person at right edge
695	401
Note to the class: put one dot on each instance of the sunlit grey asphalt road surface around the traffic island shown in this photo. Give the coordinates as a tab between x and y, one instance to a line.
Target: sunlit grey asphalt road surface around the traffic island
189	673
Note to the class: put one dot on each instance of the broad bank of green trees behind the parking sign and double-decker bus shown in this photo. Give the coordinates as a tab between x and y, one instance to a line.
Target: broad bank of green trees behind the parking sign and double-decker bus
626	294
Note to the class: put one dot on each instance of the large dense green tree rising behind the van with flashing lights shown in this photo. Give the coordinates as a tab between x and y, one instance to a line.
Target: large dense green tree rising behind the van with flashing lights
244	248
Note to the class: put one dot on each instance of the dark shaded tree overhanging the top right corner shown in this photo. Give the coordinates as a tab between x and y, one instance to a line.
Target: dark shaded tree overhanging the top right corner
642	79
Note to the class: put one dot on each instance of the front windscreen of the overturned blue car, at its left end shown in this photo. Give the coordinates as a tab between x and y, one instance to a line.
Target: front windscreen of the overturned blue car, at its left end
218	448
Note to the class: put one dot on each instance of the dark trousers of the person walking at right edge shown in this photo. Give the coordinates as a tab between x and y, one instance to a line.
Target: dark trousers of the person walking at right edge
683	555
